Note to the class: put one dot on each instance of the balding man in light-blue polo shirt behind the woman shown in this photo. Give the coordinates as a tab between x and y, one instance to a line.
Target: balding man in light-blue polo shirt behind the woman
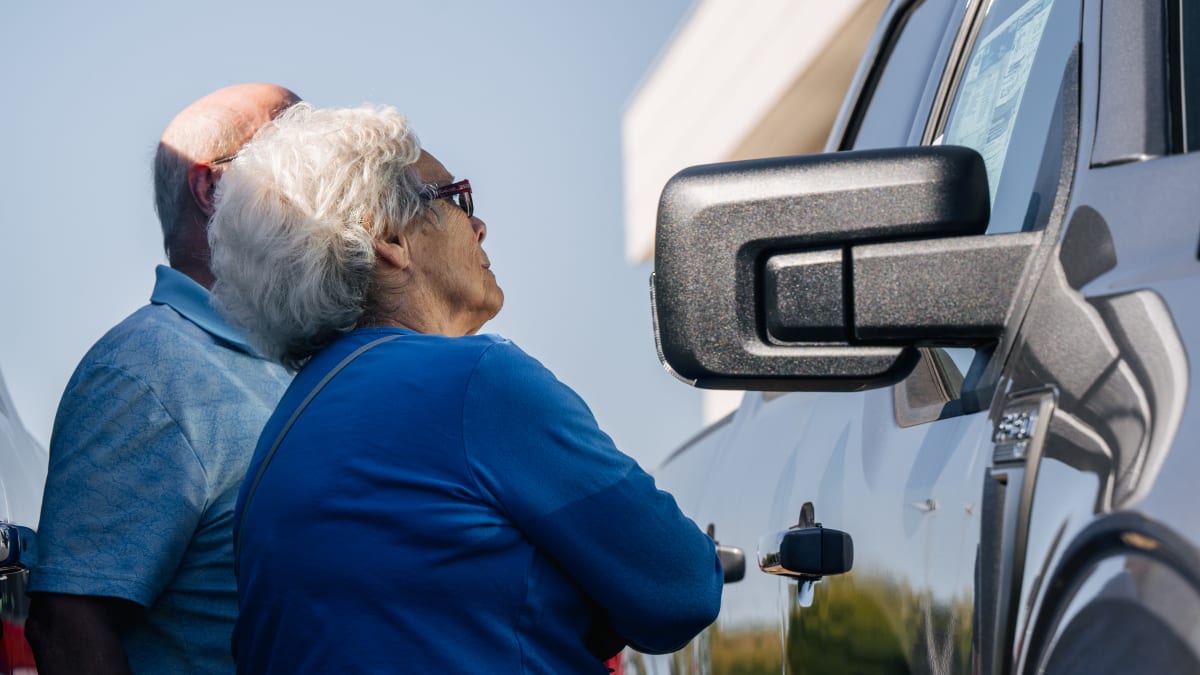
152	443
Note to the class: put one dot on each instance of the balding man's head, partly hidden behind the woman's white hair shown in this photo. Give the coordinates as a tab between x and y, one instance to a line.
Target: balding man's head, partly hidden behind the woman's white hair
189	164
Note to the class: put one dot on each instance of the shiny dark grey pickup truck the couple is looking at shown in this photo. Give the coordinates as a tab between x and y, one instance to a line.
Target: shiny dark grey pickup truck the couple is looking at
970	443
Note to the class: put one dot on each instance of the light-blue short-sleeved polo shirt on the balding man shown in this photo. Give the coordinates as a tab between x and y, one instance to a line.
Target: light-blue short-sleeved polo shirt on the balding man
151	445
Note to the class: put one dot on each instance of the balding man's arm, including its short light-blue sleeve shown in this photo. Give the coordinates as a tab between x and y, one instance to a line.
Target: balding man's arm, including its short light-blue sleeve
109	543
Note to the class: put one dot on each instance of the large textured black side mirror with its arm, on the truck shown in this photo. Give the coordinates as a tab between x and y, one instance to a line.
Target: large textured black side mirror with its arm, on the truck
826	272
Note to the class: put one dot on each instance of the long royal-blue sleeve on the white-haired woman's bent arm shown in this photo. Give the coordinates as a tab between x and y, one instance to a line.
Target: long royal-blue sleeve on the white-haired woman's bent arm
533	445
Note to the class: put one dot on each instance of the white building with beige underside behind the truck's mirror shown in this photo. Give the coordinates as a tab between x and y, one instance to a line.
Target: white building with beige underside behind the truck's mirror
740	80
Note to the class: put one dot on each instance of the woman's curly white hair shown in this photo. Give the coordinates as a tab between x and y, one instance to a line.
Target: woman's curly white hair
297	216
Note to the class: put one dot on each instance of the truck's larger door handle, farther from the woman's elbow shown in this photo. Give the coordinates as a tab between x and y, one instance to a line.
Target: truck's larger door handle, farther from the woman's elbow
807	552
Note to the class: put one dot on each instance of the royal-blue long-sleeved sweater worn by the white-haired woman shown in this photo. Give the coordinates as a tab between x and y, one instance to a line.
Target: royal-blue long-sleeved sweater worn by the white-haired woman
446	505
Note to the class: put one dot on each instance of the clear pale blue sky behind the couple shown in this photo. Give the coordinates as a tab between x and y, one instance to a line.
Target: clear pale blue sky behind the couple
524	98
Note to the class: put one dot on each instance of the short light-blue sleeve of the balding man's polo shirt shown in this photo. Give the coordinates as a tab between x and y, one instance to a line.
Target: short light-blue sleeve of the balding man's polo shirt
111	525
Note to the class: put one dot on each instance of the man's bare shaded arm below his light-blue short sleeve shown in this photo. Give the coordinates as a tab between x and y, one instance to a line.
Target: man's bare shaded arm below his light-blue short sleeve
73	635
